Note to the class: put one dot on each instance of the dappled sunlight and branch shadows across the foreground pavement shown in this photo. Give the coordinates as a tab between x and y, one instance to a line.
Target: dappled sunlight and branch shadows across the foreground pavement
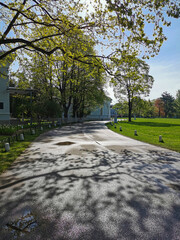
104	195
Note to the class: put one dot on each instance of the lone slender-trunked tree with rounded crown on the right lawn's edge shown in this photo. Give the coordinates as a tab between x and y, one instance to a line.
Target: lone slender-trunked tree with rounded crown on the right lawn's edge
131	79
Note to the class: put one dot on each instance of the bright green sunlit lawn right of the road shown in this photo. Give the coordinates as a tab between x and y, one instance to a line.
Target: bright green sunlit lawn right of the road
148	130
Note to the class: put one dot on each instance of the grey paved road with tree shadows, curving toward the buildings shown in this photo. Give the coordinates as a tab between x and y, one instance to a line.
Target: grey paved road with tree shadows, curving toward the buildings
86	182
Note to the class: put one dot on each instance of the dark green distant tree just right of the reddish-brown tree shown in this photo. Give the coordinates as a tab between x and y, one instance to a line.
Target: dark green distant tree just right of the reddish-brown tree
169	104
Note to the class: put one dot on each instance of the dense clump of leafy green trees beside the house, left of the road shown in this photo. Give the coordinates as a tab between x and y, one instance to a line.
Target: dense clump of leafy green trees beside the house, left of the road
75	84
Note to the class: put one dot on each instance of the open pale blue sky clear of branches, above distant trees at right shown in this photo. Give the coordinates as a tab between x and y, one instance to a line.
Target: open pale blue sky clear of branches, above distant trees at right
165	67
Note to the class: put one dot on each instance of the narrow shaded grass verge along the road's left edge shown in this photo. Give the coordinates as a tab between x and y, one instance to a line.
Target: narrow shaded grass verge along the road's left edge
7	158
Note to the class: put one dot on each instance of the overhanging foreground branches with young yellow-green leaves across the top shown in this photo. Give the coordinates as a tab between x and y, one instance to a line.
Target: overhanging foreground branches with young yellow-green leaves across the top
112	23
